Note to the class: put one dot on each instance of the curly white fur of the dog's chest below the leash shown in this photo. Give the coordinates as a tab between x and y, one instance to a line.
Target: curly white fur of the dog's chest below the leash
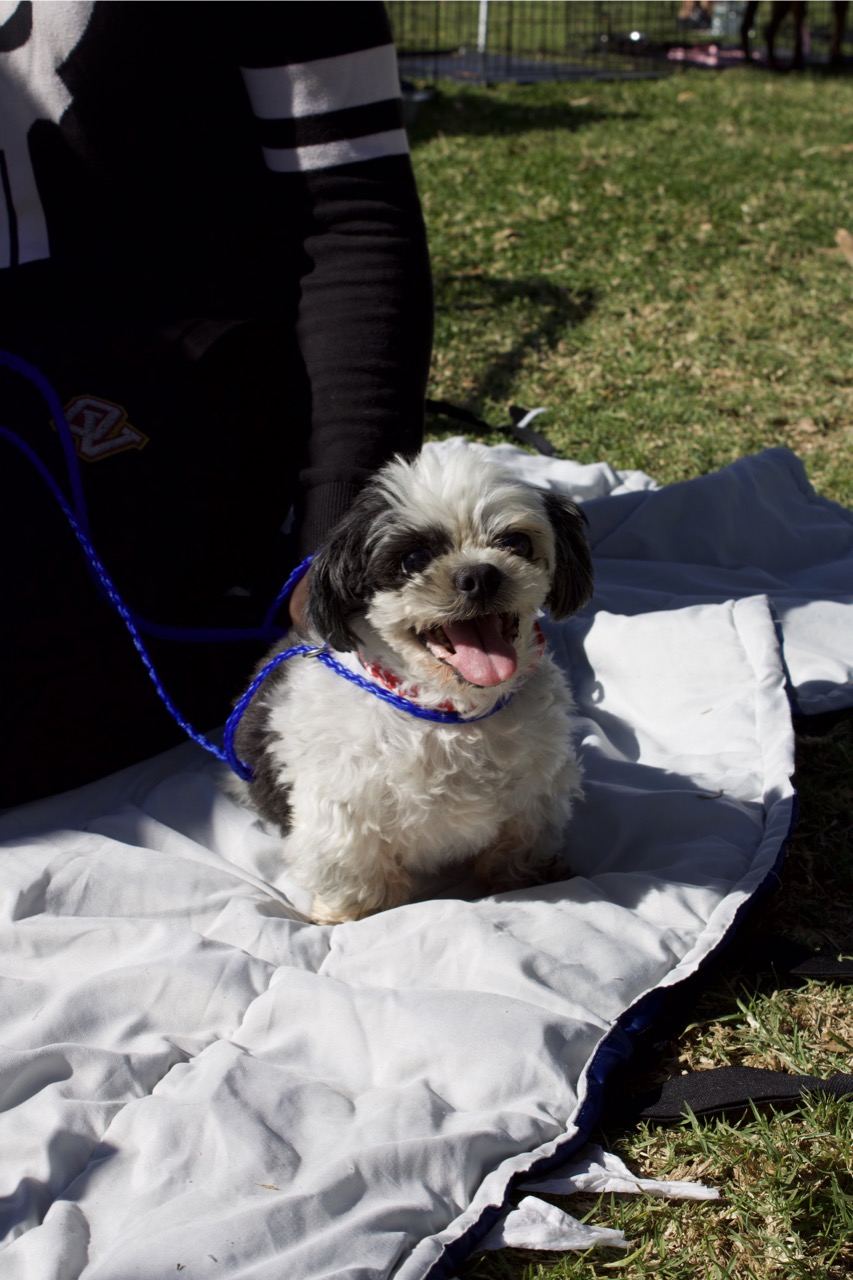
412	797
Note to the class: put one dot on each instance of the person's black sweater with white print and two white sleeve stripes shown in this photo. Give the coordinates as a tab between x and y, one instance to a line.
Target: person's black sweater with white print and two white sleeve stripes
189	166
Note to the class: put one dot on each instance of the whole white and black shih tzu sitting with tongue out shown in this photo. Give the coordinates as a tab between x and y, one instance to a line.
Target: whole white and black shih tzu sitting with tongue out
431	587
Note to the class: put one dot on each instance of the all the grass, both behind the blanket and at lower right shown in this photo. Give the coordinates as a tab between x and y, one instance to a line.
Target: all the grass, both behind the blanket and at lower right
658	264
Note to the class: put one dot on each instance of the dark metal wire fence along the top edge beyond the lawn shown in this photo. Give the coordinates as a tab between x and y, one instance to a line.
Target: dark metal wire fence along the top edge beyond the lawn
532	40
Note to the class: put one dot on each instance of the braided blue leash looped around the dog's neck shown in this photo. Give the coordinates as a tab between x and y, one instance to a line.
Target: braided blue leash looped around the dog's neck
268	633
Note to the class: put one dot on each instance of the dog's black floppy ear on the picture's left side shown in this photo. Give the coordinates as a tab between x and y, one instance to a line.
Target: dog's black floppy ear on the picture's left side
339	584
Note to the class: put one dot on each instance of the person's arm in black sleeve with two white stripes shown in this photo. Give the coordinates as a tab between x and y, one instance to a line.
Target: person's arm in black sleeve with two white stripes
323	84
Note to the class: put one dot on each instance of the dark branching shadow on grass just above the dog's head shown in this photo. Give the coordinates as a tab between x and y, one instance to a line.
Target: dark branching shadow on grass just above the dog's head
556	309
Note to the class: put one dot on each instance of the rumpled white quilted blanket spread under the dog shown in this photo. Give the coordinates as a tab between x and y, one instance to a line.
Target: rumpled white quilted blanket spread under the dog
197	1081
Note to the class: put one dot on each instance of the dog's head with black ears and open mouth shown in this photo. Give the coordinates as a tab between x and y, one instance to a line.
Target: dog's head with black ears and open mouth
446	563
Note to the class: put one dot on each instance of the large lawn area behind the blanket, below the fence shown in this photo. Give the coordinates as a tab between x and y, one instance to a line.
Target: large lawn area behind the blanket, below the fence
655	262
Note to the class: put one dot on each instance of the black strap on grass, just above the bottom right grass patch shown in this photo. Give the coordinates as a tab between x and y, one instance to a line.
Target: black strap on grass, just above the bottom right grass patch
733	1089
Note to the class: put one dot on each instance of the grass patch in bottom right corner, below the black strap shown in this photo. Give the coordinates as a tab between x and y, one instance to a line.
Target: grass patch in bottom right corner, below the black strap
787	1213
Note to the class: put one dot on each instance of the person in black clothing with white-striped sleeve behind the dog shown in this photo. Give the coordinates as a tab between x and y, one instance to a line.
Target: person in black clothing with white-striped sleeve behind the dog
211	243
